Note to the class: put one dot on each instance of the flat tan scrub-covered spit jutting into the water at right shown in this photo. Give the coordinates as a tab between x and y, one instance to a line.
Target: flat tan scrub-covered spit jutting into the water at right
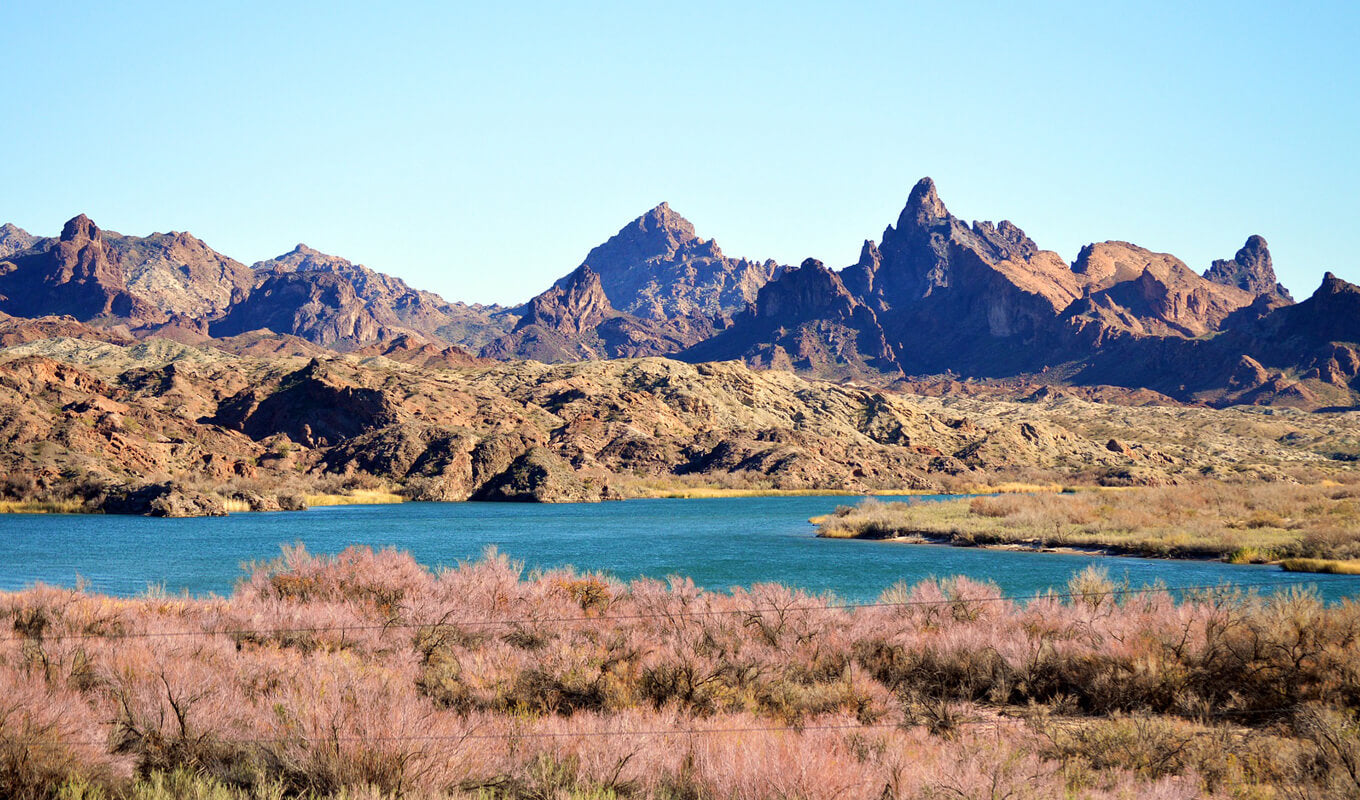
1240	523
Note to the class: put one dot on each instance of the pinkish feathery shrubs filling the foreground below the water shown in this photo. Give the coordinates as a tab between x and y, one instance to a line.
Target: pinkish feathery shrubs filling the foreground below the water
365	676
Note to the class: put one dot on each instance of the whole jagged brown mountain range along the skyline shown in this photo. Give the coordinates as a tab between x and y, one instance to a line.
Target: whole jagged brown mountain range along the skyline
935	300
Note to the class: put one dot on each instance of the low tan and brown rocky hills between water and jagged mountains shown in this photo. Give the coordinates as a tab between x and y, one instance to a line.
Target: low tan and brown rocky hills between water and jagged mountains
157	427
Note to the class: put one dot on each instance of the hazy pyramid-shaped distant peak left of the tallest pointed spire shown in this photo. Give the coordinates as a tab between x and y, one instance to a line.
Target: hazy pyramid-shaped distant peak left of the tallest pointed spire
659	269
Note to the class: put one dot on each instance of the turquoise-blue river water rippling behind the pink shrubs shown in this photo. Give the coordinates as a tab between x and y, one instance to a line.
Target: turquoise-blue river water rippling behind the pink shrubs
720	544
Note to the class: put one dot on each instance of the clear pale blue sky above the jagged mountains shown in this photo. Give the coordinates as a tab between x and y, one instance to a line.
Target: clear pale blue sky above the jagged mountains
481	150
